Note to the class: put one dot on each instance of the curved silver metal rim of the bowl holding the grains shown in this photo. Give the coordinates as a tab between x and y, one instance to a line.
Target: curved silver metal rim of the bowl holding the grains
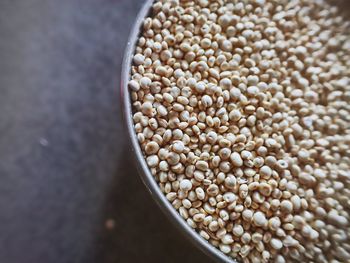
143	169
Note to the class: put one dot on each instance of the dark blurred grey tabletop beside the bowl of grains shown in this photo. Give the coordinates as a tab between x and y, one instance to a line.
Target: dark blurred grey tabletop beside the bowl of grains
64	162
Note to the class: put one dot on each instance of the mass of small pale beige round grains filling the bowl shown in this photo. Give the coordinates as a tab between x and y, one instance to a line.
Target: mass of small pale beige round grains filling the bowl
241	109
